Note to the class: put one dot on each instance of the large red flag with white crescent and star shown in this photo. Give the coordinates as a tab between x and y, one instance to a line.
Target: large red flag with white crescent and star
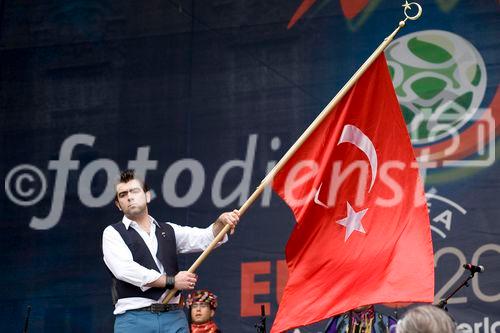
362	234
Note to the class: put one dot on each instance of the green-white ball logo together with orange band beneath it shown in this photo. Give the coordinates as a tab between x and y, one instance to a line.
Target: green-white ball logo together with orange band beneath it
440	81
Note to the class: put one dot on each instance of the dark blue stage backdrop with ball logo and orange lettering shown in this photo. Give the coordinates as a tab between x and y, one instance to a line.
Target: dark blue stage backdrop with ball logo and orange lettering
202	98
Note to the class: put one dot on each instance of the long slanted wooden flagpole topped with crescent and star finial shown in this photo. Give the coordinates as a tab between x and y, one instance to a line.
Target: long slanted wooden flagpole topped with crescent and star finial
312	127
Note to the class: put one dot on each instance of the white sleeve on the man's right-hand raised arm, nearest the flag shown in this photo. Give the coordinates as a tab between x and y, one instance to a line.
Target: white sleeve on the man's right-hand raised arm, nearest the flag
192	239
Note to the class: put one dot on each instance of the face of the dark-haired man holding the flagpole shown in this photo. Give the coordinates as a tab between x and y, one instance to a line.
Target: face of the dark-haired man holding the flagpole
132	199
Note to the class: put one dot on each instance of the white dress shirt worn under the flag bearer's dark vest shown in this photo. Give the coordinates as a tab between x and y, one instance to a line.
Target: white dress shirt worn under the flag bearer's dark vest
119	259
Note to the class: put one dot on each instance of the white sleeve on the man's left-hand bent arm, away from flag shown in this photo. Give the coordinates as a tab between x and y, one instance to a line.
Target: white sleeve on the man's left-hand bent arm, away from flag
120	262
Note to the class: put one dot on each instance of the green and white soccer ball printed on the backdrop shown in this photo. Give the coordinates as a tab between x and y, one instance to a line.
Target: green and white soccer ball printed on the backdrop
440	80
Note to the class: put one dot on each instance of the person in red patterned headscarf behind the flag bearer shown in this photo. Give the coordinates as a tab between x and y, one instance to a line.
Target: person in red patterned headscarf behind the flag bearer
202	305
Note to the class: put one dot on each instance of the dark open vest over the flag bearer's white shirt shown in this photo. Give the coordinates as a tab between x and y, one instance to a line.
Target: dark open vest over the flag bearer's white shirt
166	254
